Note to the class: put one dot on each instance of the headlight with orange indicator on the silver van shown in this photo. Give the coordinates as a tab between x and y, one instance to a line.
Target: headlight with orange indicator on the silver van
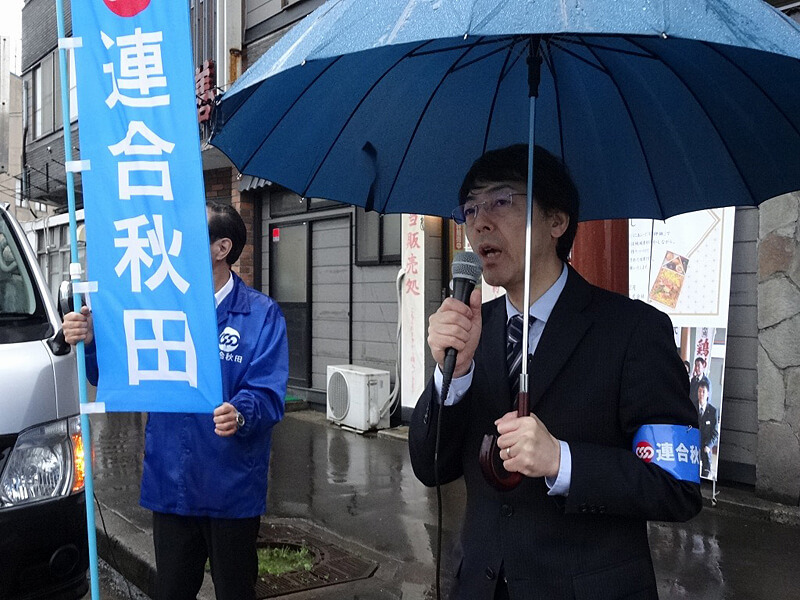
47	461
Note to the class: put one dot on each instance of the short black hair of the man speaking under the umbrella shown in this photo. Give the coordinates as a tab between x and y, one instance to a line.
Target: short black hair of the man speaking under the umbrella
554	190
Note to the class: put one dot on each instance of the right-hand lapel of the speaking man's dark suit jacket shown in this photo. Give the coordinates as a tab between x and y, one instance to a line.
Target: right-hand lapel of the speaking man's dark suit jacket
564	330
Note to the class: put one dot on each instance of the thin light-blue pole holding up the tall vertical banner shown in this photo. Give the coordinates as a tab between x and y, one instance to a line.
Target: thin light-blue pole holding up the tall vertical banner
75	277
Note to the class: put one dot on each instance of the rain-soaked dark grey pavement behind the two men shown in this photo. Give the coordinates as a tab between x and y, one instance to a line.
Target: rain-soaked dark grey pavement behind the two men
361	489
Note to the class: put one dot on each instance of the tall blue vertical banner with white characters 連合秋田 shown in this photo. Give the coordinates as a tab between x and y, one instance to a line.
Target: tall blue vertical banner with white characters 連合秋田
147	243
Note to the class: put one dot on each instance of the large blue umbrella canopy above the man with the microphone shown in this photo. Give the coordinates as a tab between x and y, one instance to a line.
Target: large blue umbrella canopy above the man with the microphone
656	107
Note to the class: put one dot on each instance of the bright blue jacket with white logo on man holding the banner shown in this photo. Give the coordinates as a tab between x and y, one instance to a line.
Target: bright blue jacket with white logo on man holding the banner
190	470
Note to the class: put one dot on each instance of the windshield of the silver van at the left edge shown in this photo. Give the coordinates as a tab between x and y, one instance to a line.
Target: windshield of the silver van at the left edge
22	314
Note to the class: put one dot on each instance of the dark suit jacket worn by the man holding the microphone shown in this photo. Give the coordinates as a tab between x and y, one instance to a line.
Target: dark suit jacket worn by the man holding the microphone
605	365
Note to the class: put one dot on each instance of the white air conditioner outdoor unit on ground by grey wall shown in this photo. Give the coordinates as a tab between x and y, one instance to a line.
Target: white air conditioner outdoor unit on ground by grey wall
356	396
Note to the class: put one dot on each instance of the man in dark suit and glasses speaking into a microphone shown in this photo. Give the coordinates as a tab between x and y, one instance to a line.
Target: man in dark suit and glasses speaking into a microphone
604	375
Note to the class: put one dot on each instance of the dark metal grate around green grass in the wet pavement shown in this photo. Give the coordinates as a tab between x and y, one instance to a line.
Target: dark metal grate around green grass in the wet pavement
332	564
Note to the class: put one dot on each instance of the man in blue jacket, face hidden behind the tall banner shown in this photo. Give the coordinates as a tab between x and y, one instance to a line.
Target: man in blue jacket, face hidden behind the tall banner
206	479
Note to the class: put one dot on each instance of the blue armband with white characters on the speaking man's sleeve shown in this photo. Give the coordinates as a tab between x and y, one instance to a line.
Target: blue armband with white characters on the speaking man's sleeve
674	448
